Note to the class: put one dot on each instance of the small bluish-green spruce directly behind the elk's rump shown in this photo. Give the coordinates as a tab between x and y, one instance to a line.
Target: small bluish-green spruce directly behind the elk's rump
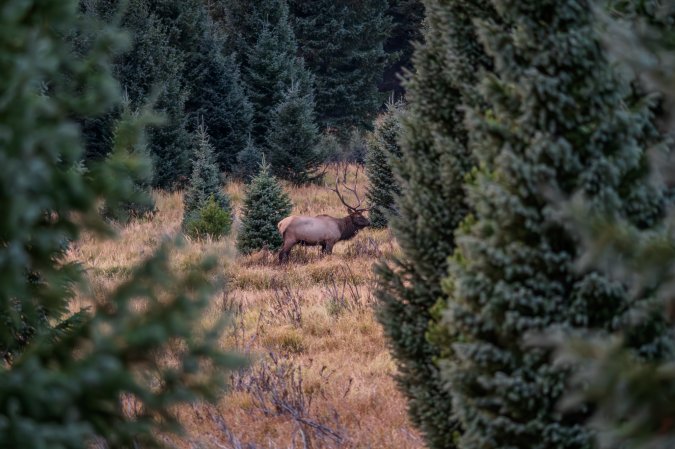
265	204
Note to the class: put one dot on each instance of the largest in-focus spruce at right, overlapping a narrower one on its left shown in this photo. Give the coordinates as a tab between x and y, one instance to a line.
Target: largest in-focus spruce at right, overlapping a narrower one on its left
557	123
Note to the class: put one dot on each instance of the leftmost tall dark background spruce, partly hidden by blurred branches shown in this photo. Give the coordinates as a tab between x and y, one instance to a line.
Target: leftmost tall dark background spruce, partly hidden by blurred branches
150	72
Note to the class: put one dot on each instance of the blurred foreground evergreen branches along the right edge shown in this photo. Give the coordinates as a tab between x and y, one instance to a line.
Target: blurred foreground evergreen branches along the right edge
632	398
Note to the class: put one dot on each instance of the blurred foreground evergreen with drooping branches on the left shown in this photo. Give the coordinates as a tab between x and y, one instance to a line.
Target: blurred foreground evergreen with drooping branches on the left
65	389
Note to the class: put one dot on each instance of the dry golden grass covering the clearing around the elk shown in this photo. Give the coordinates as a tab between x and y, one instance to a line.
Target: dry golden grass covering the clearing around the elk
308	326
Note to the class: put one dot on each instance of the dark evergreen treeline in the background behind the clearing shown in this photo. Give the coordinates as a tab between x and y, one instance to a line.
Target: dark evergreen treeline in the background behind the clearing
275	78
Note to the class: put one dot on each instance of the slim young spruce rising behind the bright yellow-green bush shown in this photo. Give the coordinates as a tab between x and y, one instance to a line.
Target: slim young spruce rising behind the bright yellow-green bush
205	182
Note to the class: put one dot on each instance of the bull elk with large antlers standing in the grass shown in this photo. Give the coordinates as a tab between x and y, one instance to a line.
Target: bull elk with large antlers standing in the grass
322	230
